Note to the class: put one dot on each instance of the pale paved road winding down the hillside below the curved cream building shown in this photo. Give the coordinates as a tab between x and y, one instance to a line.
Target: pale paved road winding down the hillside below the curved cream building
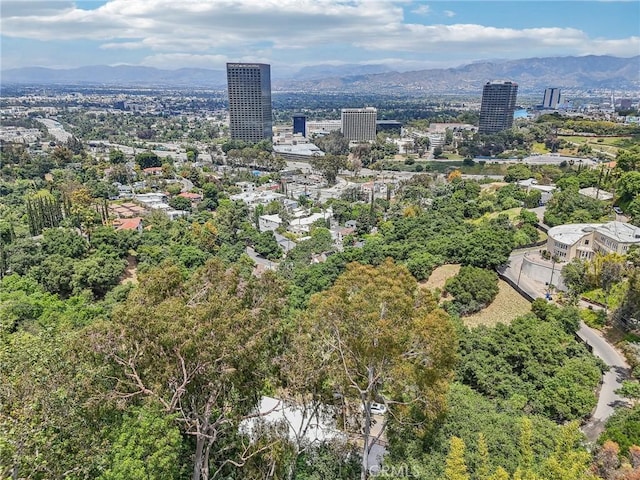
618	367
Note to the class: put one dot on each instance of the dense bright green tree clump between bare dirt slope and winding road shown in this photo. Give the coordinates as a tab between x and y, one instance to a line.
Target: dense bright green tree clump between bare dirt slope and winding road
533	359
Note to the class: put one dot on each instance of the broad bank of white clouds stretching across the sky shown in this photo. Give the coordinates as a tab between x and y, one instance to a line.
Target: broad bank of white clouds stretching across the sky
281	31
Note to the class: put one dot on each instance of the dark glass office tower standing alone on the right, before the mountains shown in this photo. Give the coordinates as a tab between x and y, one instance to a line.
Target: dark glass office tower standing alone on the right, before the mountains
498	105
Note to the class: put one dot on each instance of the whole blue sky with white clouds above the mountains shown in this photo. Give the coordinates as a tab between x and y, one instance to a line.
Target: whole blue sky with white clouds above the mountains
290	34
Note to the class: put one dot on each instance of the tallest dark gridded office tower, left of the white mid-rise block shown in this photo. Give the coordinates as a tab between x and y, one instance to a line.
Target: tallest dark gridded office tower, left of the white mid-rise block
249	86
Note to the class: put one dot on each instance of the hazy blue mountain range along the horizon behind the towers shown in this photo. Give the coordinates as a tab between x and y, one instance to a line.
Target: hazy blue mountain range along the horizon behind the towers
532	75
